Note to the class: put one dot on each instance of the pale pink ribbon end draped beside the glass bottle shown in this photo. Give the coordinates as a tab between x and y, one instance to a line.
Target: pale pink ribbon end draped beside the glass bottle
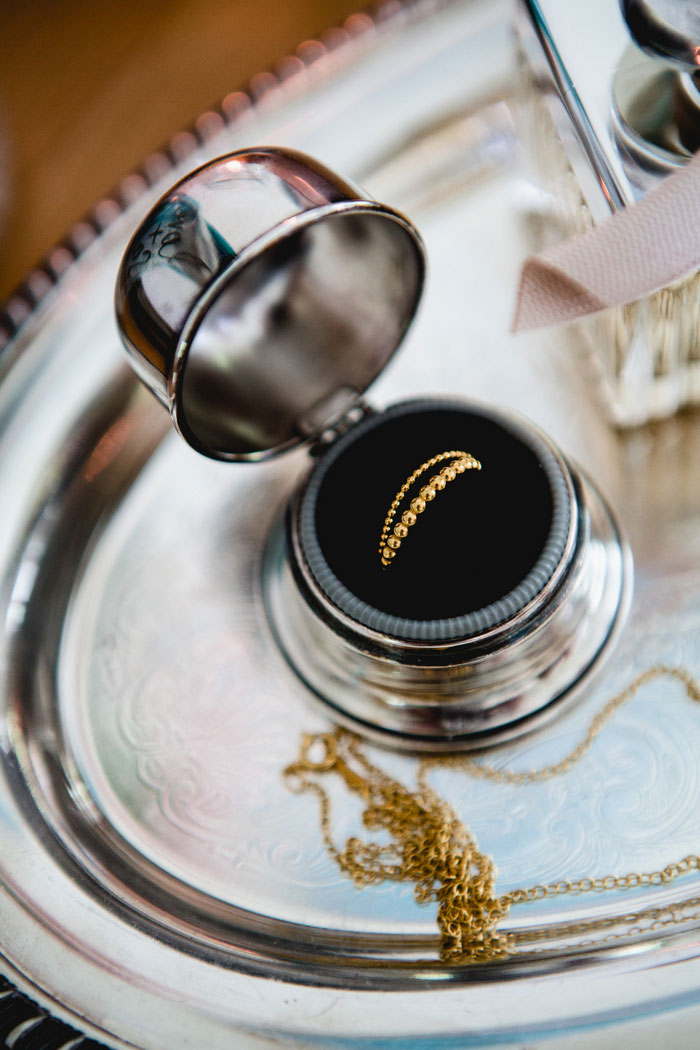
640	250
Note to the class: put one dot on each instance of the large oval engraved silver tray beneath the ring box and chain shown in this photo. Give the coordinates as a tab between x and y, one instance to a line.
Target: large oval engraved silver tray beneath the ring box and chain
160	886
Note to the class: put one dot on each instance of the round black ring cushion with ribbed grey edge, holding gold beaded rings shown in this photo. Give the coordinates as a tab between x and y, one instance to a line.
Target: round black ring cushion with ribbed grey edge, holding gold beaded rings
482	550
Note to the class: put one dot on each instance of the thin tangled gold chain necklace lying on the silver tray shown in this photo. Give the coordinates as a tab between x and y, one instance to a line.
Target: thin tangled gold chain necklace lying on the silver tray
433	849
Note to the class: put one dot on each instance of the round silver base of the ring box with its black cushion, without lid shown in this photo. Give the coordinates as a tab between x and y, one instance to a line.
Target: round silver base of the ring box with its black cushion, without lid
532	574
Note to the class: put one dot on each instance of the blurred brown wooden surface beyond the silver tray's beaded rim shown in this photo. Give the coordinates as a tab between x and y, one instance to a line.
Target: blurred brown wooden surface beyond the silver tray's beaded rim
88	90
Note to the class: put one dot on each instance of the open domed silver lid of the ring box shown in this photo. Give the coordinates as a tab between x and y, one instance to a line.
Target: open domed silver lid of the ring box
261	298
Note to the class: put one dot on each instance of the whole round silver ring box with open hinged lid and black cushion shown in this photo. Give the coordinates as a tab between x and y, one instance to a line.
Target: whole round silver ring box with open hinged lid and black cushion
270	298
